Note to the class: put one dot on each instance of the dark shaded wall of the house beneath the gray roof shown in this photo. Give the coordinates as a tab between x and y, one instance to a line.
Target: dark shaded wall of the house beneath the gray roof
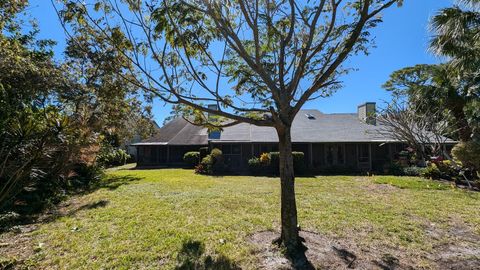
318	156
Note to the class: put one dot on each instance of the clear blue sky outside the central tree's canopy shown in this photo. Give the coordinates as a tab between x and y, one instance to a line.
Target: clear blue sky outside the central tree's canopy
401	41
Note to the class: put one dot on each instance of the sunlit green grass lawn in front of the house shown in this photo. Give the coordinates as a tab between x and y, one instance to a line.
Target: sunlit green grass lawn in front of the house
148	218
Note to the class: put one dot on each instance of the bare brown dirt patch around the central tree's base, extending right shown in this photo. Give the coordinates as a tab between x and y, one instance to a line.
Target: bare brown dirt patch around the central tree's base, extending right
331	253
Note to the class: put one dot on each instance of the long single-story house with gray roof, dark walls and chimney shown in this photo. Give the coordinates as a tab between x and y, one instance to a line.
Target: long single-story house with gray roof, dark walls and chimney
349	140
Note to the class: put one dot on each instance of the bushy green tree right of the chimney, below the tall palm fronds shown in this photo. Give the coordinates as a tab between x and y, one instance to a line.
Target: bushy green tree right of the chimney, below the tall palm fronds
436	86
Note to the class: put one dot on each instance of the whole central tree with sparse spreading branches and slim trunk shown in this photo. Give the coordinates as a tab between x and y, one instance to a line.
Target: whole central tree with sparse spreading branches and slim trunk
258	61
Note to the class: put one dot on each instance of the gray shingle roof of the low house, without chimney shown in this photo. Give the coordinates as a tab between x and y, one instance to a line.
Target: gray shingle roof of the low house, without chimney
341	127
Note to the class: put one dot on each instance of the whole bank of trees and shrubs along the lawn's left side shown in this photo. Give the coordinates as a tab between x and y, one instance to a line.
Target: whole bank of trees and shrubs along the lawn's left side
54	113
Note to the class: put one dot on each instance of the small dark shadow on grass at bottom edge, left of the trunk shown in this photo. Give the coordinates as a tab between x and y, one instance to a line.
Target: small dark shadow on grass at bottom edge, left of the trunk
192	257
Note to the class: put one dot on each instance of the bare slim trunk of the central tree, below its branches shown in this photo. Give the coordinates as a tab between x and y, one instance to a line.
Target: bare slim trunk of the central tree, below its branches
289	235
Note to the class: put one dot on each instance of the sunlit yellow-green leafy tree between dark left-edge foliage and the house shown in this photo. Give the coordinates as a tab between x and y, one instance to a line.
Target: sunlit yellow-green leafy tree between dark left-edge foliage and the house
101	100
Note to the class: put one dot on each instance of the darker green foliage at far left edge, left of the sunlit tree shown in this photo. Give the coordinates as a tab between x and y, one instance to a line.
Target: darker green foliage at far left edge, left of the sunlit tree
35	135
